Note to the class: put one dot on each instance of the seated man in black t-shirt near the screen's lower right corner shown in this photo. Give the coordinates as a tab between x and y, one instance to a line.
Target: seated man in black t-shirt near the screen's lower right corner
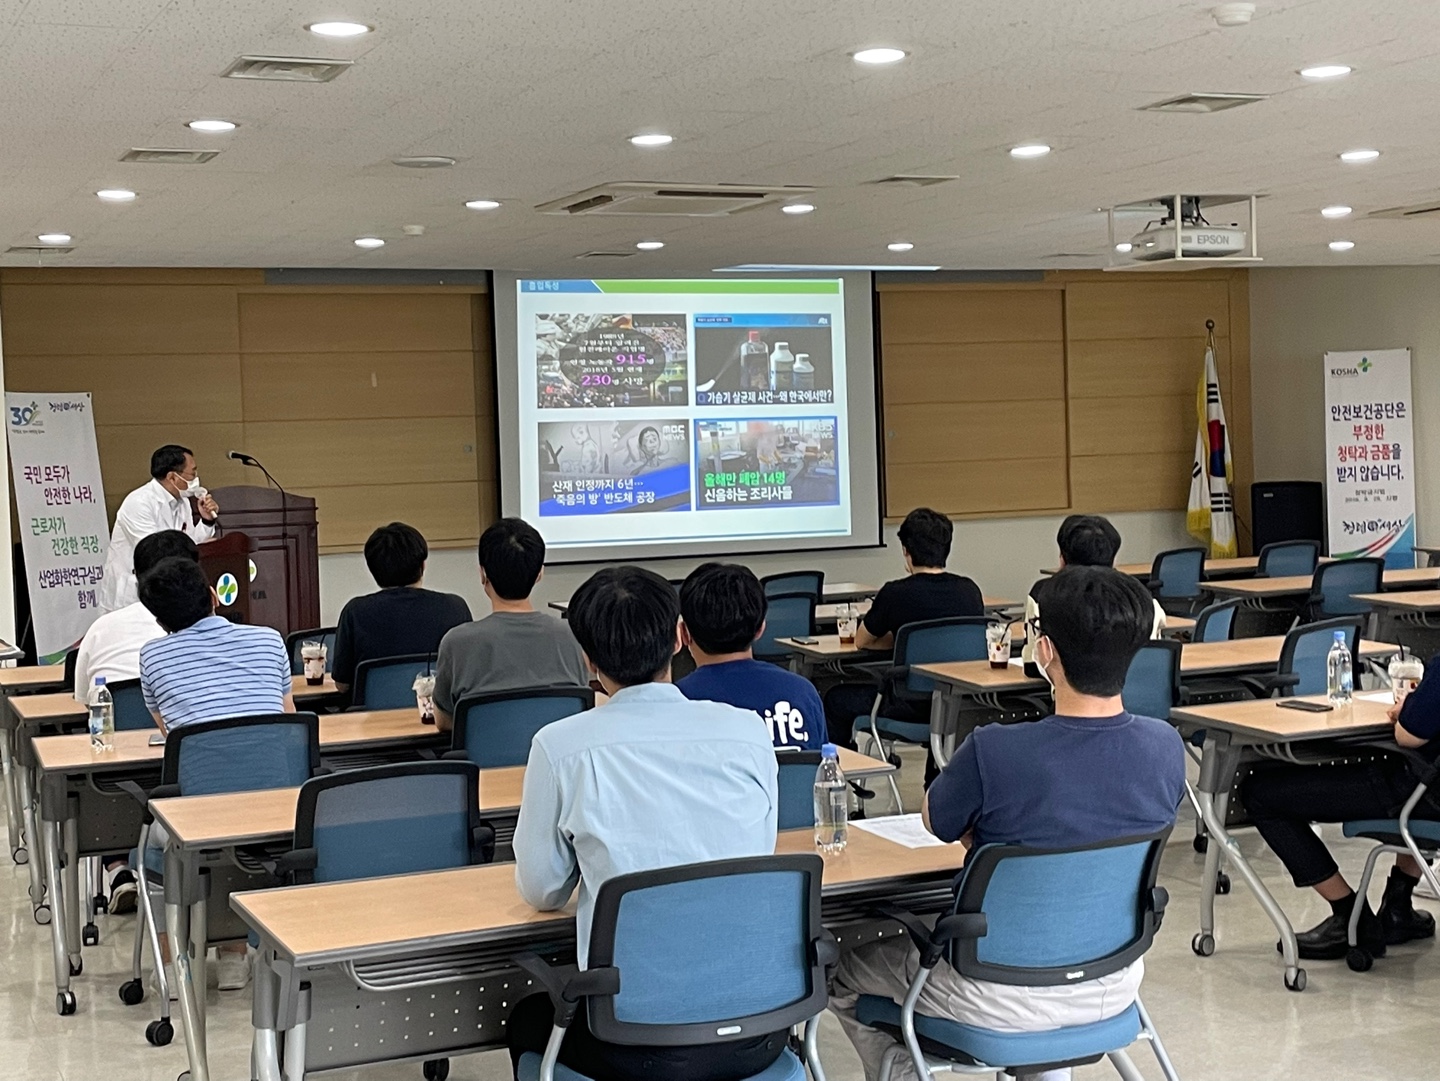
928	592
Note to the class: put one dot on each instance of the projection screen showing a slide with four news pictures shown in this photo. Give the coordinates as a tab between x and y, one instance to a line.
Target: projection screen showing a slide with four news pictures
647	418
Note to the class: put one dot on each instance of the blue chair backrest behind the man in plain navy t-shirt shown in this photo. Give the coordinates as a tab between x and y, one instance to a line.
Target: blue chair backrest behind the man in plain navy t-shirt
1055	916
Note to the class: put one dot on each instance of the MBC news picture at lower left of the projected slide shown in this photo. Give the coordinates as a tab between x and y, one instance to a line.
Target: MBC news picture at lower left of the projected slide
629	467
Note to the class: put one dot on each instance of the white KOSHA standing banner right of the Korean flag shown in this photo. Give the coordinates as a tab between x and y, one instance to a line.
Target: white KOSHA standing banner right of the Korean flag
1370	463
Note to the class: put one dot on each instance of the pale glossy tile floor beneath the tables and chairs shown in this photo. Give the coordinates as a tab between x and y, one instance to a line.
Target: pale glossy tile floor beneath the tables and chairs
1223	1018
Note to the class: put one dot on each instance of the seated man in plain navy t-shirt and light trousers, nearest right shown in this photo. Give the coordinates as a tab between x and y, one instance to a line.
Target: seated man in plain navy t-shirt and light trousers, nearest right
1089	774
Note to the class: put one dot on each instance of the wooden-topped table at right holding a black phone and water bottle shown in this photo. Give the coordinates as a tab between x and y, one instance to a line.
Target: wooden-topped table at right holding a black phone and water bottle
1232	732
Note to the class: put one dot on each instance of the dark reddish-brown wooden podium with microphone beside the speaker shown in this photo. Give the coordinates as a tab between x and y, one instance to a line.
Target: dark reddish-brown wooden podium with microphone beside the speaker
283	546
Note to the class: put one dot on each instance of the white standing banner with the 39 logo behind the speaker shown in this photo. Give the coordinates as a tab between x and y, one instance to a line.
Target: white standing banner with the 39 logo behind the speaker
61	509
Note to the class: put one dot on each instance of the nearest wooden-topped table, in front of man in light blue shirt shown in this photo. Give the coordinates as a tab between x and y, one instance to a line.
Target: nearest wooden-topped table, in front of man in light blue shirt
463	928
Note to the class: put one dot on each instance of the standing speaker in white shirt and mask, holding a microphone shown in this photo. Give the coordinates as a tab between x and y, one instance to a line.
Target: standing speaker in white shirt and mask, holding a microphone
163	505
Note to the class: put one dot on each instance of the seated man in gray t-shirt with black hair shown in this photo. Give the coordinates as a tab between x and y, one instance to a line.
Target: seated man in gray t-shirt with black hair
515	647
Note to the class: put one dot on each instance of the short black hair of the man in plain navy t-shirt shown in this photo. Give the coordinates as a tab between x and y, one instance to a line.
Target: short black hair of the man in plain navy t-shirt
1098	620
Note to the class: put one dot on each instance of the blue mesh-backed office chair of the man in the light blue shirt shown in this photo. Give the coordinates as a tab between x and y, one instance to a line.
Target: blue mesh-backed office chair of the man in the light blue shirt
698	955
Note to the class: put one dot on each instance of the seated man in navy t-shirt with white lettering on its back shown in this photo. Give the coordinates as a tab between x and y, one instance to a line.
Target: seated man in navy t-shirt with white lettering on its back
724	611
